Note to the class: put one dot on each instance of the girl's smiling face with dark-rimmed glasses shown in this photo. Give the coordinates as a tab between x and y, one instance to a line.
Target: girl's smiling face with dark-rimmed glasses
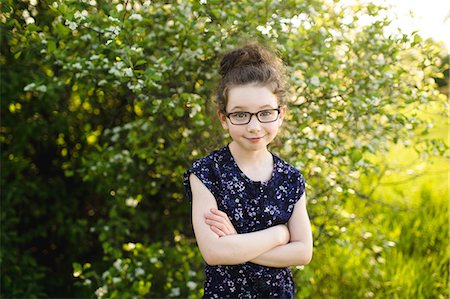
251	98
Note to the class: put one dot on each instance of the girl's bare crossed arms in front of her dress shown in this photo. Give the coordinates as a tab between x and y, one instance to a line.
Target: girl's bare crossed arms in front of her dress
277	246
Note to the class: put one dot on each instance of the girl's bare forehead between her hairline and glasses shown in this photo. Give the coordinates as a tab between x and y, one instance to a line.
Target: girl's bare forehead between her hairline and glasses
250	97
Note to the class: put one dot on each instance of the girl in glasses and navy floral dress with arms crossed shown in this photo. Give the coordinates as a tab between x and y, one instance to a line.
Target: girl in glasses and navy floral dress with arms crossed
248	205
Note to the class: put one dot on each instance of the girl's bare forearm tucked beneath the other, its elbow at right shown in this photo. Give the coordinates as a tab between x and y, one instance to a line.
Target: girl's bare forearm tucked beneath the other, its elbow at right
292	254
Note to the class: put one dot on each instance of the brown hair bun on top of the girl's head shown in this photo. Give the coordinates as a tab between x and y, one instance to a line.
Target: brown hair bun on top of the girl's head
249	55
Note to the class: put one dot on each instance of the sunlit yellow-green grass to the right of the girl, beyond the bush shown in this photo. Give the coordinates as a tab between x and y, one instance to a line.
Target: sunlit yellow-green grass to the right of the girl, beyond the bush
397	245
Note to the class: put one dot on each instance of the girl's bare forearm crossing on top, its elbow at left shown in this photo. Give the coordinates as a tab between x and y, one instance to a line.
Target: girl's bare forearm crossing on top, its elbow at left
241	248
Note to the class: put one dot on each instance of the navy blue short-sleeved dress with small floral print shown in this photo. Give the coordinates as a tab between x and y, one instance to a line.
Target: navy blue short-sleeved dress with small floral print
251	206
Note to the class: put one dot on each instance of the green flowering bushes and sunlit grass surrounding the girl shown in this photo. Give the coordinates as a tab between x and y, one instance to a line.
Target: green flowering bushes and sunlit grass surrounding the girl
105	104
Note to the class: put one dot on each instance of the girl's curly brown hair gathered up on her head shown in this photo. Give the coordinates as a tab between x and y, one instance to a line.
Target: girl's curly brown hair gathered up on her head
249	64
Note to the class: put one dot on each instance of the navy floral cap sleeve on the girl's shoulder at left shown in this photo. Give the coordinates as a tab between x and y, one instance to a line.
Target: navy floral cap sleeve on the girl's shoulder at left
205	171
